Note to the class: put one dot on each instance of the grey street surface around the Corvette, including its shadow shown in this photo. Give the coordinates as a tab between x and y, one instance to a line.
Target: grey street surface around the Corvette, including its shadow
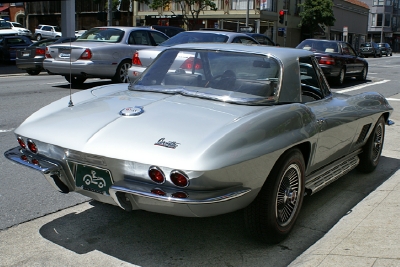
41	227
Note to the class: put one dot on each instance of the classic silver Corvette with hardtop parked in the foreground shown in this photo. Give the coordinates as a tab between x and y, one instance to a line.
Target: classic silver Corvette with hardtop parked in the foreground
232	127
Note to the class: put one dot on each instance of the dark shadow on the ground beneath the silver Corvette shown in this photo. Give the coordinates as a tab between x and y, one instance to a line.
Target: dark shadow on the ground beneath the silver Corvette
149	239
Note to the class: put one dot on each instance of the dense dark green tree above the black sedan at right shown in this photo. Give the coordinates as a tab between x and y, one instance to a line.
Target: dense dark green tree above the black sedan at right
315	14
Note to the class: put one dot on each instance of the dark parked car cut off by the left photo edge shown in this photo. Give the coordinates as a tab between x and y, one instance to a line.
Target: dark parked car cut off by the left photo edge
9	45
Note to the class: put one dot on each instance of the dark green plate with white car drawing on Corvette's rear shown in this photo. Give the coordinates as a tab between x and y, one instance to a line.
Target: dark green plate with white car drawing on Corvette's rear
93	179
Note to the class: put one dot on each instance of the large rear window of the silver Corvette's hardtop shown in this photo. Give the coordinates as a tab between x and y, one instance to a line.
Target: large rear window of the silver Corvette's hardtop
241	78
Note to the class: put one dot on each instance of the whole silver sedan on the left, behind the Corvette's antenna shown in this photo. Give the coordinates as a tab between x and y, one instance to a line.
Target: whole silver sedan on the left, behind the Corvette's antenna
101	52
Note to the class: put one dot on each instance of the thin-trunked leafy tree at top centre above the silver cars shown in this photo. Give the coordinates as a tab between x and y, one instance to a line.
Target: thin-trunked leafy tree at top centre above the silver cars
190	9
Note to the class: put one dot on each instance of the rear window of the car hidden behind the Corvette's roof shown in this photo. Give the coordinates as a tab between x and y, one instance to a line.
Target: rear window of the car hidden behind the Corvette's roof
195	37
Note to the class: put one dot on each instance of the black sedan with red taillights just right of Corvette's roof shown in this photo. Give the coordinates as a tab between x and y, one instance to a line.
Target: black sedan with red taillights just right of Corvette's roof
337	59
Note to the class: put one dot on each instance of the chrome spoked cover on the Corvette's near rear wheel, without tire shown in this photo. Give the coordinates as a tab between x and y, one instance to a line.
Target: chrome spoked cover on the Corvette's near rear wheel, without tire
289	192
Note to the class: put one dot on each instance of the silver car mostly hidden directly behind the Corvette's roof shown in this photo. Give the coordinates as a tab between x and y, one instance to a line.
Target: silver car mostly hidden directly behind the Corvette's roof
143	58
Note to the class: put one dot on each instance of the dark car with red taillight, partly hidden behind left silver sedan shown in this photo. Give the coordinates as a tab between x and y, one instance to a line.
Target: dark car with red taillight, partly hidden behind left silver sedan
31	58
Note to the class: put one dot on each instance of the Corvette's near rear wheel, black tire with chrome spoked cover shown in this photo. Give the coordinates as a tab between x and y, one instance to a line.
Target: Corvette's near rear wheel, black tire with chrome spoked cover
272	215
